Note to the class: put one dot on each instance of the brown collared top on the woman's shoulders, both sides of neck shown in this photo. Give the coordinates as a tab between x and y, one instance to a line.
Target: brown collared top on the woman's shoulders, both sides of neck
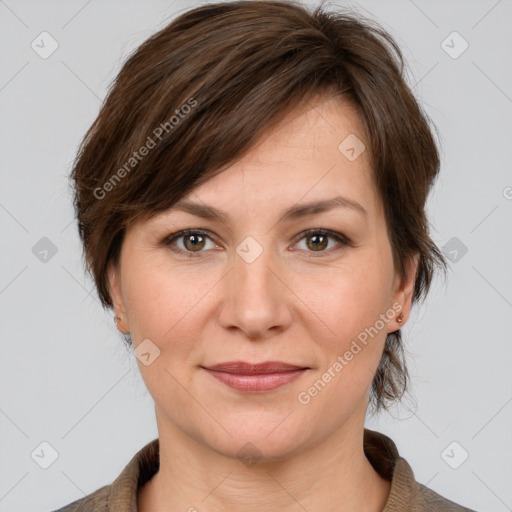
406	494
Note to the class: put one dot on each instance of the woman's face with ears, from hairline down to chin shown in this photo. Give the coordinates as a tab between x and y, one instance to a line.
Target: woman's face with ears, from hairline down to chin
316	289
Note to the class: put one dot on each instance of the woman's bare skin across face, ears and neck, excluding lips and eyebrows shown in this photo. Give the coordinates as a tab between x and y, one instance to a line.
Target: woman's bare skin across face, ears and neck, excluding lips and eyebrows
285	306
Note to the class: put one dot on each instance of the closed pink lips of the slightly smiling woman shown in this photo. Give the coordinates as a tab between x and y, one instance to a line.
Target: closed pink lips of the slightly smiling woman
257	377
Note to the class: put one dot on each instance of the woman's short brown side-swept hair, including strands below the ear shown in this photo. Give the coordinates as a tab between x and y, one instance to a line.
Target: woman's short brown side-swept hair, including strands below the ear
199	93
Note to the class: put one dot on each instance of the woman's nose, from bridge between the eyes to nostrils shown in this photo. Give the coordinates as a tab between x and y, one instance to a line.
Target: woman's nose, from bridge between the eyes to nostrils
255	297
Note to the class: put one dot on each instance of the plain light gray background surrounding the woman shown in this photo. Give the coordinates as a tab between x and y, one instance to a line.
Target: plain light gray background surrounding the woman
65	376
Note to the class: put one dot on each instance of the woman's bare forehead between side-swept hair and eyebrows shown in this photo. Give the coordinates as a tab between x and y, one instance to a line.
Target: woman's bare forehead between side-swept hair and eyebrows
317	152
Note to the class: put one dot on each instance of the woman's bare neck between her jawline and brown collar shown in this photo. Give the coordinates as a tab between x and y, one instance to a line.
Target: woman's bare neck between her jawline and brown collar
331	475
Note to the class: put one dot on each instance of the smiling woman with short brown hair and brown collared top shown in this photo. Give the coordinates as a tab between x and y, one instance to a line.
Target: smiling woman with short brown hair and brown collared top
251	205
